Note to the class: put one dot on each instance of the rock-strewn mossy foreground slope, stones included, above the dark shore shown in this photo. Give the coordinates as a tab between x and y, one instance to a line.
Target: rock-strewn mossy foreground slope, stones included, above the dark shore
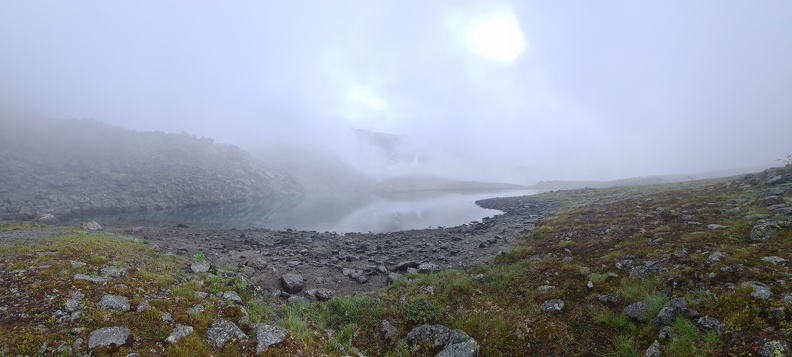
690	269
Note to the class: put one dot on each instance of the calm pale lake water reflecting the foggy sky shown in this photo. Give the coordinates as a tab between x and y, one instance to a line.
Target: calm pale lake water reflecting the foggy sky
338	212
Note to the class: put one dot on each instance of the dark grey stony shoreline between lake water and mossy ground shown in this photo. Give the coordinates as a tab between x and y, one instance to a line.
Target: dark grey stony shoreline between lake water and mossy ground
344	264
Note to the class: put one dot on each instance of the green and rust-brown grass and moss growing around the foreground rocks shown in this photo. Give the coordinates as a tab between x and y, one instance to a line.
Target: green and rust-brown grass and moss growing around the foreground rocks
596	229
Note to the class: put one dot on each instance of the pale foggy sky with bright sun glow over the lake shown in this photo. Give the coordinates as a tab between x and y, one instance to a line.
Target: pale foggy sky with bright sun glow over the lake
570	90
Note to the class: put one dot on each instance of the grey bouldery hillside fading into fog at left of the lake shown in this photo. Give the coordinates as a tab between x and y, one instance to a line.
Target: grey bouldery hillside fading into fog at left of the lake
80	167
